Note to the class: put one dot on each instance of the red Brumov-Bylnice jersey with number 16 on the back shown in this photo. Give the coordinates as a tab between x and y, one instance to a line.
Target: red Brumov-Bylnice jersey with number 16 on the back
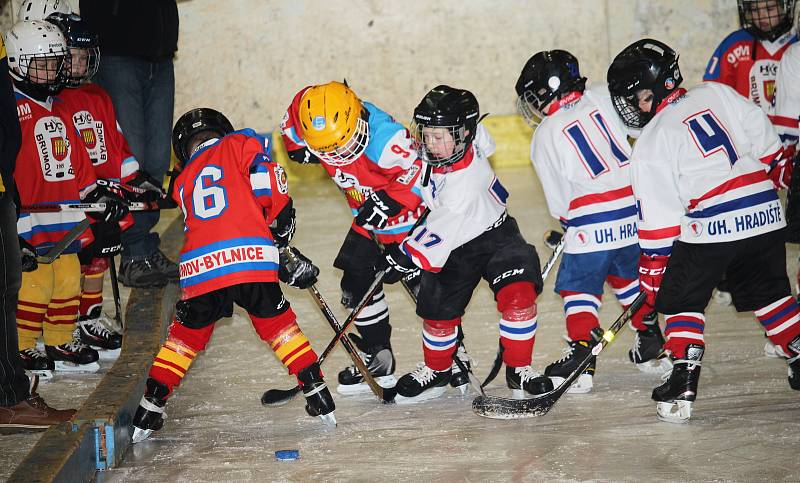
230	191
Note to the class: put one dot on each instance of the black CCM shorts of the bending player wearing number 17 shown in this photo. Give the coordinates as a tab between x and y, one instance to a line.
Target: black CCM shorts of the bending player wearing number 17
500	256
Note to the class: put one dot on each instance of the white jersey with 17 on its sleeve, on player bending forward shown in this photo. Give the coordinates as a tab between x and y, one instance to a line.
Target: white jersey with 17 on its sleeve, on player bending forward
465	200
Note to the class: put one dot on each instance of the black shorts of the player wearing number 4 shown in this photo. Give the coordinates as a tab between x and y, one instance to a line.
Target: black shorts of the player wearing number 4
754	270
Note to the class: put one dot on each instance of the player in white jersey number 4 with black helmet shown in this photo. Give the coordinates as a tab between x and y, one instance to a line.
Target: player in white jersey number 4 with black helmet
707	209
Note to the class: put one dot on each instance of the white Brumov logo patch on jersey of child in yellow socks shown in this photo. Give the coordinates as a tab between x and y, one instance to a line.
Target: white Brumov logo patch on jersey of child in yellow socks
53	148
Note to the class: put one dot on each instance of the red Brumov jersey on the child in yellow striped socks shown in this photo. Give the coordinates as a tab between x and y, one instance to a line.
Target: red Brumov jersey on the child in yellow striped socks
52	167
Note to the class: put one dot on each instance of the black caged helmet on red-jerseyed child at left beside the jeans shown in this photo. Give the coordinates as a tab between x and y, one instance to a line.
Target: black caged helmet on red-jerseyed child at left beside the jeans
78	36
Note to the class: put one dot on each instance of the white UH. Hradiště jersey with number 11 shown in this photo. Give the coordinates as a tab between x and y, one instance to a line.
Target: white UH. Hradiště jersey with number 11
581	155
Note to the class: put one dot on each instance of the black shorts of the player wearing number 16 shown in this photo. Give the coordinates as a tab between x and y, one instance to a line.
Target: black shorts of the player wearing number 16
260	299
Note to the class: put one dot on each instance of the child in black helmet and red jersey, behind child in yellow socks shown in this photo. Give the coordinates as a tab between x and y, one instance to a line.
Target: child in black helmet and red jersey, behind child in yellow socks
93	115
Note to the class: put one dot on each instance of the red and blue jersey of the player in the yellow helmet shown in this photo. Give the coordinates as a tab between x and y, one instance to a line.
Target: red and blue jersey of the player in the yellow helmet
389	163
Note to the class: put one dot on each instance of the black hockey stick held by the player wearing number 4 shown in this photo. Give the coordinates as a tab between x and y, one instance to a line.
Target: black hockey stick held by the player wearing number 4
502	408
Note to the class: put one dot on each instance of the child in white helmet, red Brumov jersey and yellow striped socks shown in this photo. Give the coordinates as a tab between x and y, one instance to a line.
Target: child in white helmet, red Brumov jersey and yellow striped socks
52	167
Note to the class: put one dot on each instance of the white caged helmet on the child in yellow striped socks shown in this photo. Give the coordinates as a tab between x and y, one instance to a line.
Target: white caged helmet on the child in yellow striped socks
37	40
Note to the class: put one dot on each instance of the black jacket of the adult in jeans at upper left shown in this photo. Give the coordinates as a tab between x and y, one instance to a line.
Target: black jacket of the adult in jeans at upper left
147	29
